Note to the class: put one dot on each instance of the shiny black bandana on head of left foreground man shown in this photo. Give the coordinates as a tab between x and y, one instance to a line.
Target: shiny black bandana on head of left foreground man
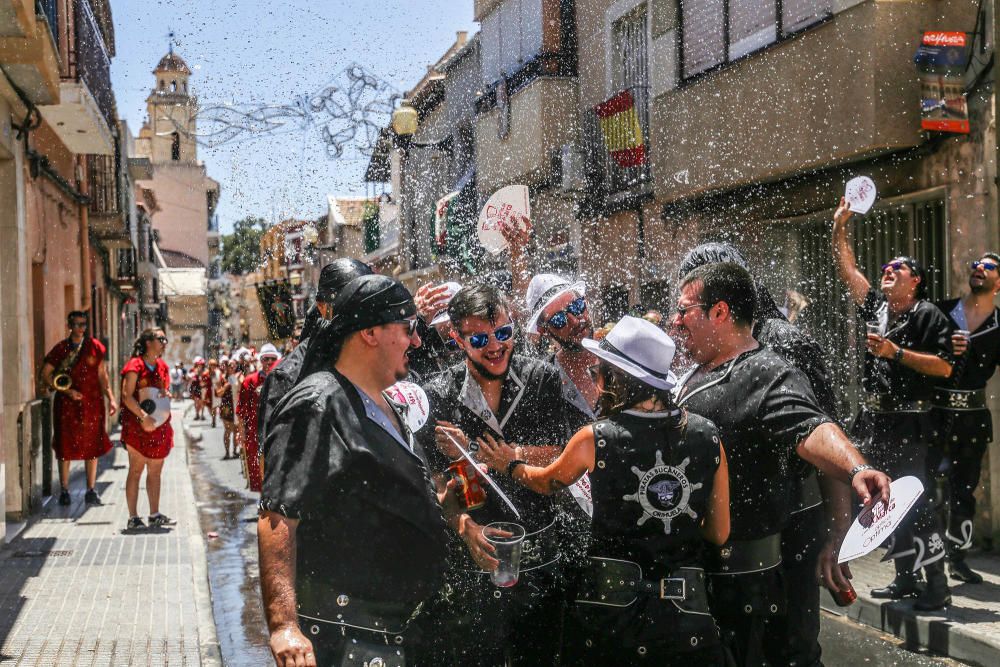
369	301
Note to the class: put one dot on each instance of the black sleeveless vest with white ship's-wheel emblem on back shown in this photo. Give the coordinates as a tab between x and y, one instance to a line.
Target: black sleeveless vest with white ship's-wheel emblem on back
651	485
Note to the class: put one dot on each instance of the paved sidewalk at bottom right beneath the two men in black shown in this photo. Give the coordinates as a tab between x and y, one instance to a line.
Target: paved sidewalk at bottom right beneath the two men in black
968	630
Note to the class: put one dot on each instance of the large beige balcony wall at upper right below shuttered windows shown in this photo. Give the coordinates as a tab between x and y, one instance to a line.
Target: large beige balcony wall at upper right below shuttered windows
840	93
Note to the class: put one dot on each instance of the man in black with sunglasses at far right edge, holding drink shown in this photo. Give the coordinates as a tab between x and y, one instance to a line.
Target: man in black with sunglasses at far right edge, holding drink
964	422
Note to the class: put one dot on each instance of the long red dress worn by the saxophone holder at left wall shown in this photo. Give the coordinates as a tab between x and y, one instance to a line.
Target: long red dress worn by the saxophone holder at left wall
80	431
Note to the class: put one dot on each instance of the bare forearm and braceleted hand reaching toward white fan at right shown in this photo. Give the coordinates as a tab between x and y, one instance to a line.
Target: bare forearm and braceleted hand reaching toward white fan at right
829	449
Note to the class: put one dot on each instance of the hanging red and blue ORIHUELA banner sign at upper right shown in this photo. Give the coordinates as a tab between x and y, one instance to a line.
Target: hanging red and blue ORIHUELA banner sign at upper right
941	61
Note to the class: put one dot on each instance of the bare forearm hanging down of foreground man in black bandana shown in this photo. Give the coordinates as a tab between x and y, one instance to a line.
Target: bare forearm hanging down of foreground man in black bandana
276	546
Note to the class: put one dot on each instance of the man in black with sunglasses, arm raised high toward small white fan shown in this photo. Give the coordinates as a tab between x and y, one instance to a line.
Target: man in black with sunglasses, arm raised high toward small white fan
907	354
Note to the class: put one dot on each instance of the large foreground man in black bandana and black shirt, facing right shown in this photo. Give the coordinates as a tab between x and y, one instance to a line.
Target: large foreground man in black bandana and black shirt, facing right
346	491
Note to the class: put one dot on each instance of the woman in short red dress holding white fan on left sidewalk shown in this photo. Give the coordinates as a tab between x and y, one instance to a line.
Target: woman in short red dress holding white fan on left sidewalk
147	443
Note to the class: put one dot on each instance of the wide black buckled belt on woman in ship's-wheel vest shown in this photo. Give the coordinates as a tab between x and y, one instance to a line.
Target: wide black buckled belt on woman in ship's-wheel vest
611	582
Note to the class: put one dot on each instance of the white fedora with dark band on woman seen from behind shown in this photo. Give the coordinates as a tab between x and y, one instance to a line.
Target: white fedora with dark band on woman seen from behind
640	348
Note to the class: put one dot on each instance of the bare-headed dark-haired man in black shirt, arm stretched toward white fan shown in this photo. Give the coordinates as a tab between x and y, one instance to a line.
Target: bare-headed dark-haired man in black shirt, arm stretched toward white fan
767	418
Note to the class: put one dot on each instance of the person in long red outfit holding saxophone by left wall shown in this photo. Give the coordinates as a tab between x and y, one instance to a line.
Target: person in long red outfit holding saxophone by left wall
75	369
